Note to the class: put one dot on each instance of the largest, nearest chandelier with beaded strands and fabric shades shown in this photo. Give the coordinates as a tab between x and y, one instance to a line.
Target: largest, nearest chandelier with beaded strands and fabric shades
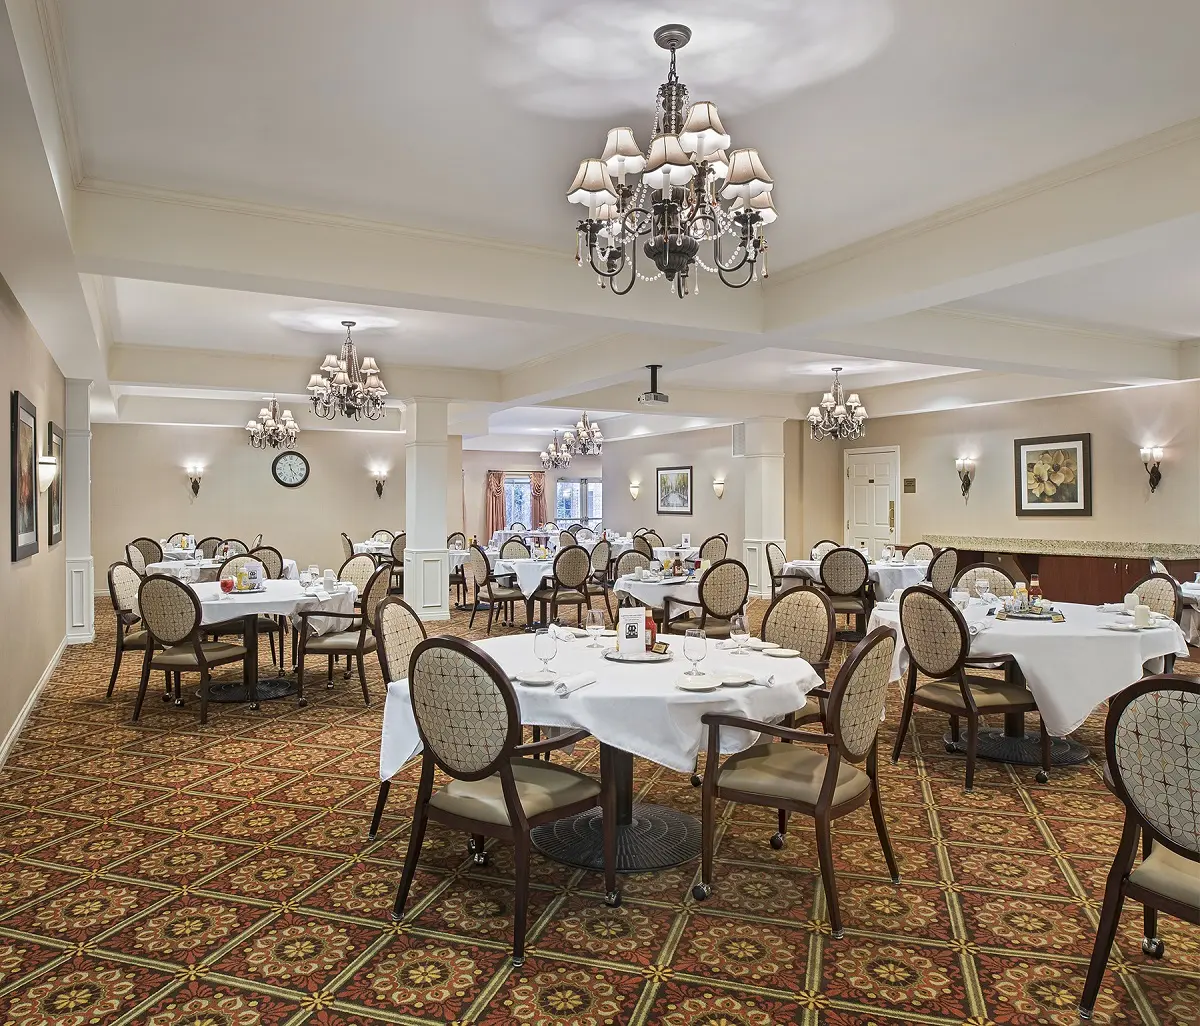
679	203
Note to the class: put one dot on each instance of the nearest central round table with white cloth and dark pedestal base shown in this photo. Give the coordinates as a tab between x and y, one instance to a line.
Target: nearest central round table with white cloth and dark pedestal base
633	710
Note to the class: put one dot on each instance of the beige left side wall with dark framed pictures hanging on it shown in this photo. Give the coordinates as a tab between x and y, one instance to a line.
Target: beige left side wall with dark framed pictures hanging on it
33	592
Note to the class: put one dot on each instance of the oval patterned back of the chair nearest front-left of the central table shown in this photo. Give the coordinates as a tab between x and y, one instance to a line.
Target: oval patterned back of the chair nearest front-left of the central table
465	707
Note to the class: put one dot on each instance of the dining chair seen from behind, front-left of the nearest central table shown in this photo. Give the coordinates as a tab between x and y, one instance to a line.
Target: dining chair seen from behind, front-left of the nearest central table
467	717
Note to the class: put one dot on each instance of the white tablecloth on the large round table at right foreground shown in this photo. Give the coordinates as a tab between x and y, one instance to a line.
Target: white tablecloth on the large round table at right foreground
1071	668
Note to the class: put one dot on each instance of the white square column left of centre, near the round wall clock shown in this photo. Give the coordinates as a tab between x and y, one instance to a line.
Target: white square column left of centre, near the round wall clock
427	565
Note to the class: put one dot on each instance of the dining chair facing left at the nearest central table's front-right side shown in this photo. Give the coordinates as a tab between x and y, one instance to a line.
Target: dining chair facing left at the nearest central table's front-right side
794	778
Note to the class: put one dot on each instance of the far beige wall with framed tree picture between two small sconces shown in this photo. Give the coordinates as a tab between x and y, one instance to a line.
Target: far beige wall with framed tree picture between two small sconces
711	457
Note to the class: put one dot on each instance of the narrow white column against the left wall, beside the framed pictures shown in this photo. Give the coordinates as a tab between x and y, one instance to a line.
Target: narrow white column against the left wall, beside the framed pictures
77	513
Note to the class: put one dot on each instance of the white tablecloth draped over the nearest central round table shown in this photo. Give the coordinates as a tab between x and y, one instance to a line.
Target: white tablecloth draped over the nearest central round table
634	707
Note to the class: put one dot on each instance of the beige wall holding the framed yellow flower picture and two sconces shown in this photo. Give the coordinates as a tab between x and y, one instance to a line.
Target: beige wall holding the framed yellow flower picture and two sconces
1120	423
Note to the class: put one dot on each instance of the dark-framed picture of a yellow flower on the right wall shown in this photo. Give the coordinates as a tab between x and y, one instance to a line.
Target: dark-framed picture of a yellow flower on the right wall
1054	476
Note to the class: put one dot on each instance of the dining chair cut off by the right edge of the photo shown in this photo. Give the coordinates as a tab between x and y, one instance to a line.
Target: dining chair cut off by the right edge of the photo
1151	729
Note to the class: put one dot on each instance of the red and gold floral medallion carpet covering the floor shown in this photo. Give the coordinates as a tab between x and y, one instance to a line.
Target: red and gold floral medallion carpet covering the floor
160	874
